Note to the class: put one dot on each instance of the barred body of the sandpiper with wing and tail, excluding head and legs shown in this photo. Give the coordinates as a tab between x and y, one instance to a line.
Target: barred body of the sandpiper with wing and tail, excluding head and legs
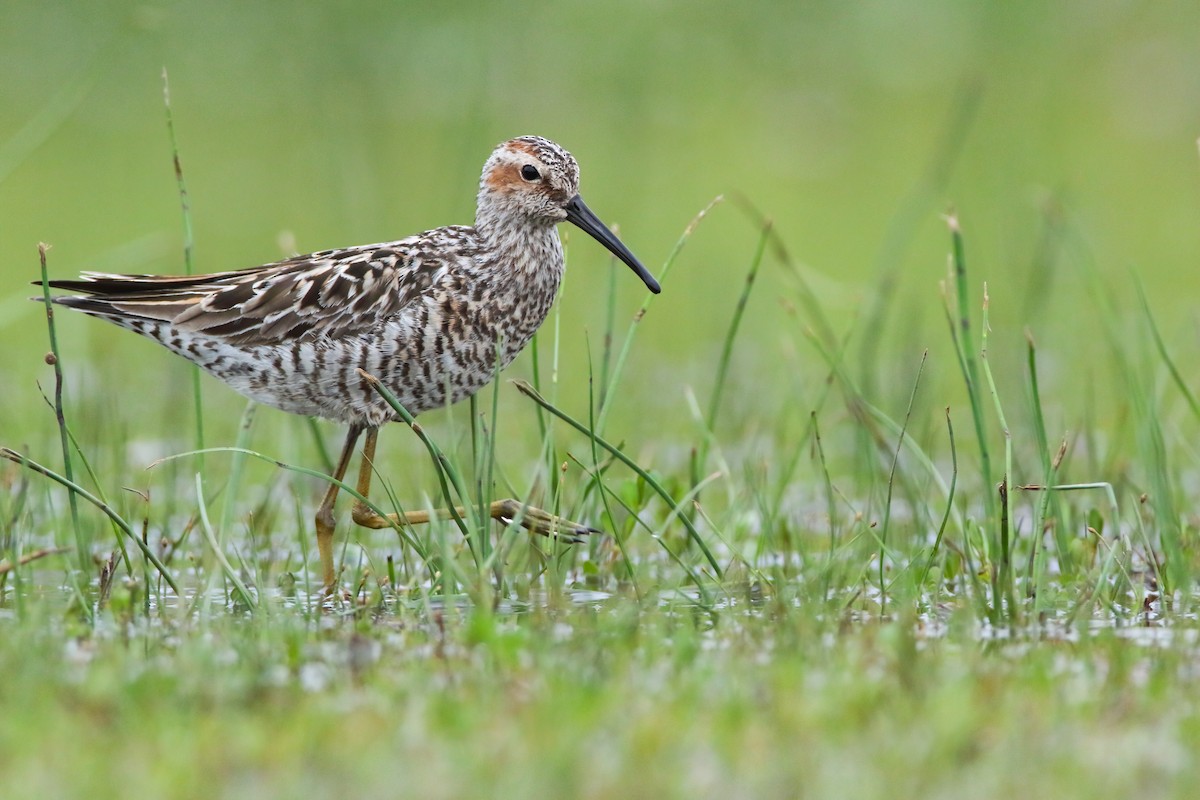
425	315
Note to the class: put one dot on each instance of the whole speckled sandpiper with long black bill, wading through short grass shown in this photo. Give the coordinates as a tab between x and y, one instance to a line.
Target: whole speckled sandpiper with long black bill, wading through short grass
430	317
